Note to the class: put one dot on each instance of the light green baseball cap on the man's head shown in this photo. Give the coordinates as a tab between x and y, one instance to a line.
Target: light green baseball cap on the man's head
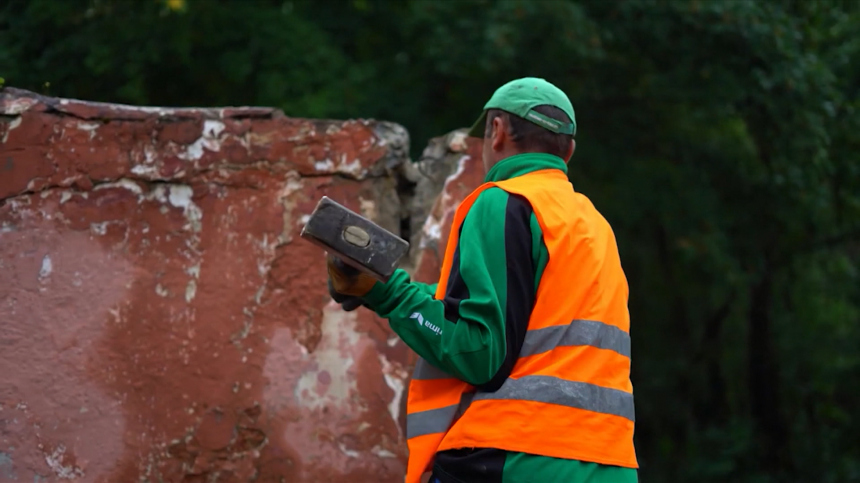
520	97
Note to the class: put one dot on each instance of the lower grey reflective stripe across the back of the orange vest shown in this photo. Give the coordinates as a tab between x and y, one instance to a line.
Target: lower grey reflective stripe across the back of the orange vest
580	395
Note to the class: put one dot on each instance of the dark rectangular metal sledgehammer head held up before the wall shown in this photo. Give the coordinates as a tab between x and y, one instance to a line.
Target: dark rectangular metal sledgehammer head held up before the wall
354	239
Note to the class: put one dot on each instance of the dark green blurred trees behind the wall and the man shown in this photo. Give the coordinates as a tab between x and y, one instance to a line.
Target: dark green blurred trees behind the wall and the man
720	138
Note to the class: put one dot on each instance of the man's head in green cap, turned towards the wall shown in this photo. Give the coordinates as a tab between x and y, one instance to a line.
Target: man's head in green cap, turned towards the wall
527	115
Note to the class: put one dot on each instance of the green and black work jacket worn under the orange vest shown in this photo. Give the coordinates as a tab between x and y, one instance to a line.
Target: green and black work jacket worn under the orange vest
483	318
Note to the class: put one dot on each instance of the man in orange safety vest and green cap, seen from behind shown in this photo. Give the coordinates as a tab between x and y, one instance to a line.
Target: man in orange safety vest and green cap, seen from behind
524	342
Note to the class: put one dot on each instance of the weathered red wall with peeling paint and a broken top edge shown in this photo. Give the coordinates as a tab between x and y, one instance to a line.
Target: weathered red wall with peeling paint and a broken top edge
162	321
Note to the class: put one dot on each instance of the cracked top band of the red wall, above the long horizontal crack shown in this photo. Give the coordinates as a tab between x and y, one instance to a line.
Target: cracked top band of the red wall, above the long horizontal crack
280	144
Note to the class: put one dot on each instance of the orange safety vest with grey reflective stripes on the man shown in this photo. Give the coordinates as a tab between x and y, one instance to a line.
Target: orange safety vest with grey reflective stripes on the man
569	394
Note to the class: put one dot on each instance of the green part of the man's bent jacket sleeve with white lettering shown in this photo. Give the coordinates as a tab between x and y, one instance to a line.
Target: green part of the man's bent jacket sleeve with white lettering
463	334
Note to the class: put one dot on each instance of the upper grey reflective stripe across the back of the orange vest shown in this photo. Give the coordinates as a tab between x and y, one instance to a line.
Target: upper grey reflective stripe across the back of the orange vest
578	332
